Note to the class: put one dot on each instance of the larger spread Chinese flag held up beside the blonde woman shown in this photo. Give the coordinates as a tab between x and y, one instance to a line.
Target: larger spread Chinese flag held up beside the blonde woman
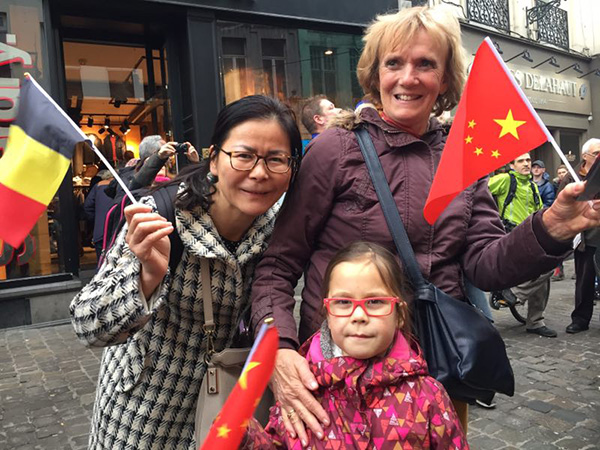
494	124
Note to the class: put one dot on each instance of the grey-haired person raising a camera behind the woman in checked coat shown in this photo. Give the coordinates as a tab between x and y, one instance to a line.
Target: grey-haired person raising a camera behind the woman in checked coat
154	163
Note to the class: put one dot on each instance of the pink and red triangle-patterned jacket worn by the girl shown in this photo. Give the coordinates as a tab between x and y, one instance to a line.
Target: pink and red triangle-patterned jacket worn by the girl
382	404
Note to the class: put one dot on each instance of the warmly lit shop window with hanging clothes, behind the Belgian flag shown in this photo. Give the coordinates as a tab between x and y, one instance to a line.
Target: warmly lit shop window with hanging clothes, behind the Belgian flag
118	97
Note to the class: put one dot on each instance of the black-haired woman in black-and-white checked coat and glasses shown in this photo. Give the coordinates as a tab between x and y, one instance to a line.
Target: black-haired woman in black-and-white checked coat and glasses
145	304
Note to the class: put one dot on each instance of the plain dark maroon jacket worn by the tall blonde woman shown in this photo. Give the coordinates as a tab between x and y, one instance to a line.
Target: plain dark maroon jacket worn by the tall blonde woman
334	203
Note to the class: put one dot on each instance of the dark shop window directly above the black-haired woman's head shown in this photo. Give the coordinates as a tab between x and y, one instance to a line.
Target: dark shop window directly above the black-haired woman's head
290	65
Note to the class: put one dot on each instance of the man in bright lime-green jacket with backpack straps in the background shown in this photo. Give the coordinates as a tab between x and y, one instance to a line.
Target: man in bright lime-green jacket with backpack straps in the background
518	197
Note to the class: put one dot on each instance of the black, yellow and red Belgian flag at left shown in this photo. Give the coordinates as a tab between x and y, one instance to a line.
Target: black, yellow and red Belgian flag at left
41	143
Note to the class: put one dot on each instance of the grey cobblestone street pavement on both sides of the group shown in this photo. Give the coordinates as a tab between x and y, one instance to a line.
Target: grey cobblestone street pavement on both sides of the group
47	383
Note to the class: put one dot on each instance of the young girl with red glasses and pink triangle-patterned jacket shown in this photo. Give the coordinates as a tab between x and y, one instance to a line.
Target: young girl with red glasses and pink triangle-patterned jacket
373	381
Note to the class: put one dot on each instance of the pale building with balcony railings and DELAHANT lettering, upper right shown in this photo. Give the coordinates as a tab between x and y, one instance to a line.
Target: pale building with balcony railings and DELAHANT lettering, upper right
552	48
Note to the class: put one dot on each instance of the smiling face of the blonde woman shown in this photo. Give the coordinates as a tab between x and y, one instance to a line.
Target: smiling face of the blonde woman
411	78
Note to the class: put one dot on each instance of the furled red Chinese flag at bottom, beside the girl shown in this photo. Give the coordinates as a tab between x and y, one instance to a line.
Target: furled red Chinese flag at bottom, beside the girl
228	429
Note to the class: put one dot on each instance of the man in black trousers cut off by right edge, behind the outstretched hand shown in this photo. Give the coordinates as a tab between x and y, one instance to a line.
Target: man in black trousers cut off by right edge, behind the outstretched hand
585	269
